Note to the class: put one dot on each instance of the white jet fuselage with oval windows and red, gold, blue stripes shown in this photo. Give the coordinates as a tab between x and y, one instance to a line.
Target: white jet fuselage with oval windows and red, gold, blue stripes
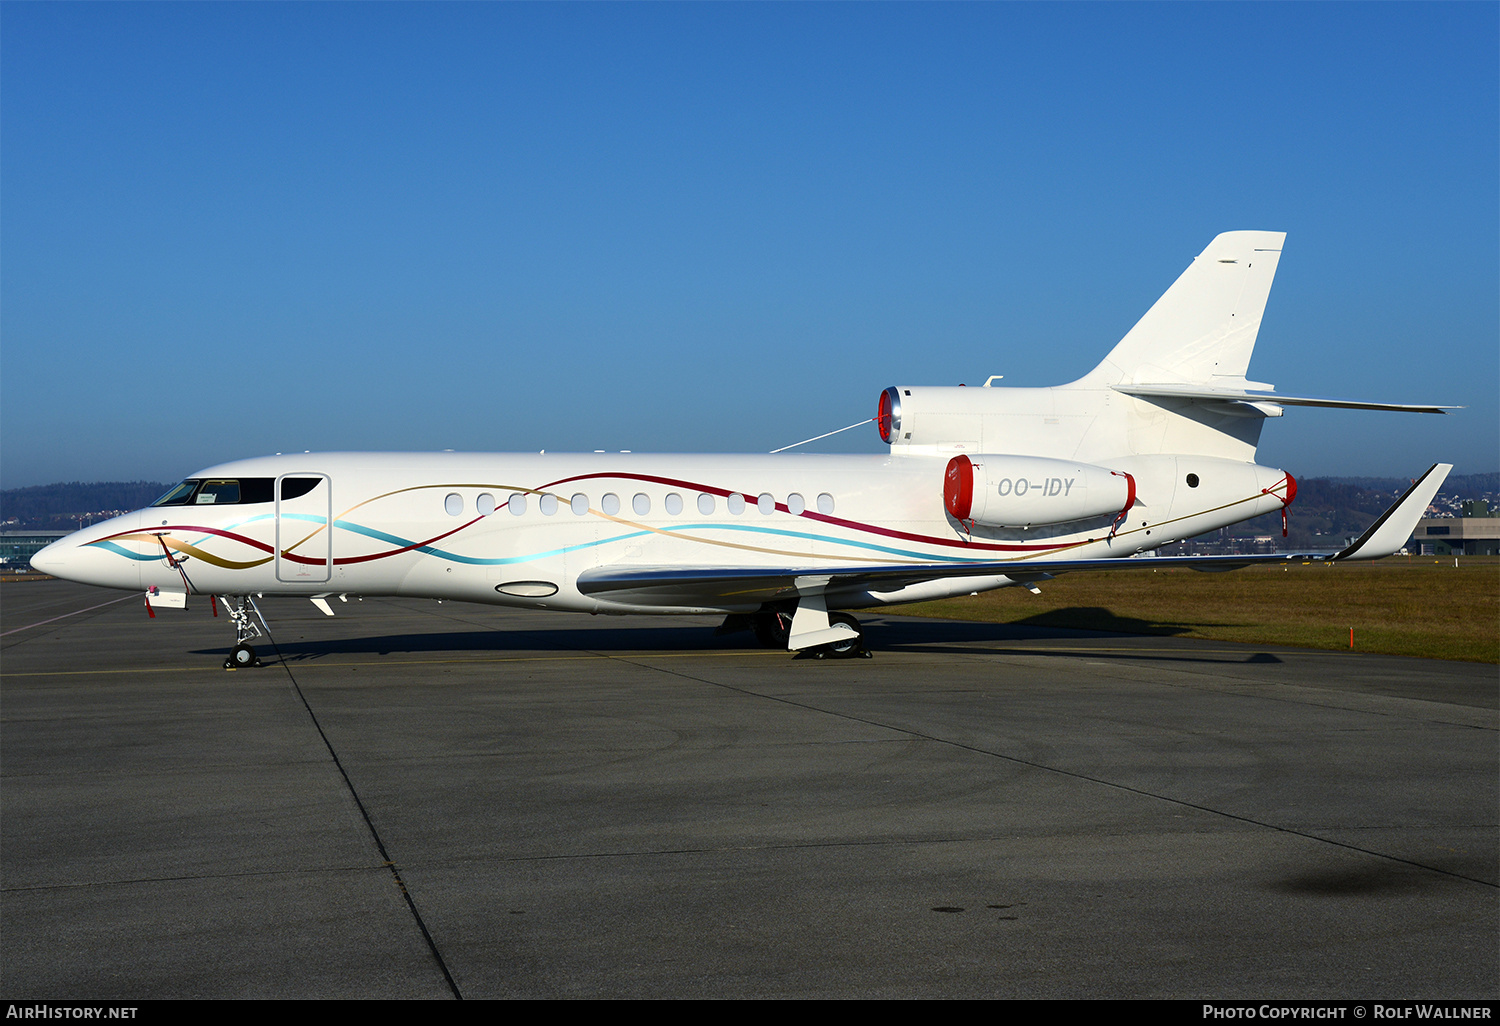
521	530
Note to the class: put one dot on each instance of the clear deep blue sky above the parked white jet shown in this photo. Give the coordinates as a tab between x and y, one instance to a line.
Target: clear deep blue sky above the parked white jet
230	230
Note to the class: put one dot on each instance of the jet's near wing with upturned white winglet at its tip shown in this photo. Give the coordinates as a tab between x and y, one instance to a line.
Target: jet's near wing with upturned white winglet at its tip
689	586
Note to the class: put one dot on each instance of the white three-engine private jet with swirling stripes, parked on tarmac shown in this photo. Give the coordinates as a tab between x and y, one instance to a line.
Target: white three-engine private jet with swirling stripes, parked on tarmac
983	488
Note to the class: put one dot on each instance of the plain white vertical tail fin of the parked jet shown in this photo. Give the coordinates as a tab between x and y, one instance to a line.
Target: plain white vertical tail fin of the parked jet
1204	329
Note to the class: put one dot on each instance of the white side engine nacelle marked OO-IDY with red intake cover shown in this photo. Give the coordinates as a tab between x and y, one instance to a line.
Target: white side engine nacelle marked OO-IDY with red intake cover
1027	491
